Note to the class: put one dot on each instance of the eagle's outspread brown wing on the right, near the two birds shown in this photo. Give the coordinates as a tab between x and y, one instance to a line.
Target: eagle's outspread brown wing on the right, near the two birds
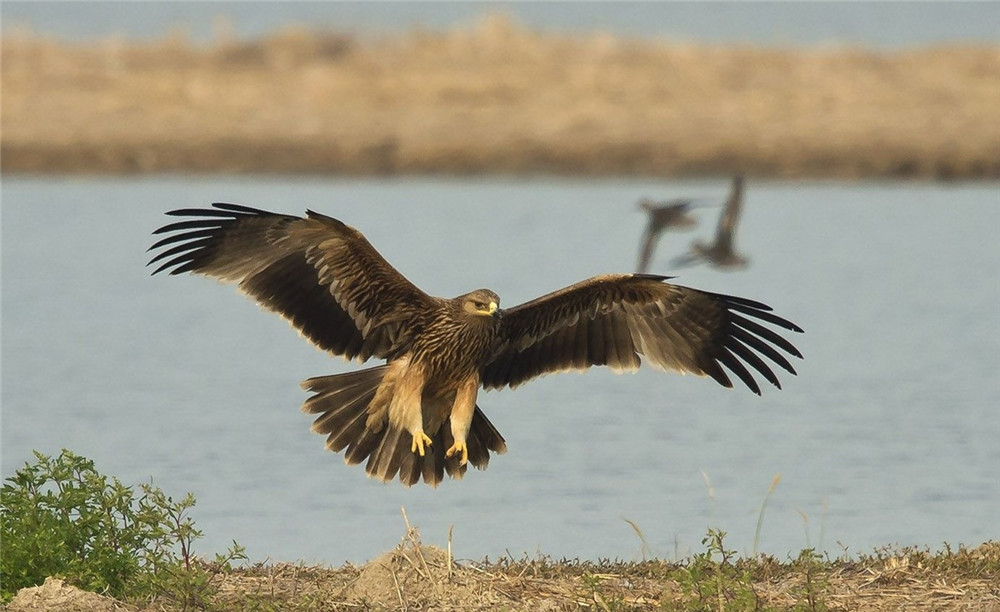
613	320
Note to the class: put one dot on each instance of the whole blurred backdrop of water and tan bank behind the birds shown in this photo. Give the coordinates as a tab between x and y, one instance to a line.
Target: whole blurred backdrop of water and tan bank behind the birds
507	145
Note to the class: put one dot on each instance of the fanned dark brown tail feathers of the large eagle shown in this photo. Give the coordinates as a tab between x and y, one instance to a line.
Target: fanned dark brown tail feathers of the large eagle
341	402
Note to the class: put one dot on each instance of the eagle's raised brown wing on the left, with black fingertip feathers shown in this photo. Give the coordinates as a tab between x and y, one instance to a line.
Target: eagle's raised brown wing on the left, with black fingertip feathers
320	274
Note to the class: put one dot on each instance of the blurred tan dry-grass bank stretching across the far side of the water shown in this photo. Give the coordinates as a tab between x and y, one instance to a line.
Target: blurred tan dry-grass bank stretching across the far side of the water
497	98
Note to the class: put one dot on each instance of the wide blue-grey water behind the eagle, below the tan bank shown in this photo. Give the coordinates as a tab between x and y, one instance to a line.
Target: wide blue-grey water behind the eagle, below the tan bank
888	435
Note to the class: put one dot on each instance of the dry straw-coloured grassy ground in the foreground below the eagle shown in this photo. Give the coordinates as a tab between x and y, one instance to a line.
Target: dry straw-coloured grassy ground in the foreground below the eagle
419	577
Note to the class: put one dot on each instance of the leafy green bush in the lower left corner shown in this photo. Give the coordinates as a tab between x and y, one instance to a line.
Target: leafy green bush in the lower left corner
60	517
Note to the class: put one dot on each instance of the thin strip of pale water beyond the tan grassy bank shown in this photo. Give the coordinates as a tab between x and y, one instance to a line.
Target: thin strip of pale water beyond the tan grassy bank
877	24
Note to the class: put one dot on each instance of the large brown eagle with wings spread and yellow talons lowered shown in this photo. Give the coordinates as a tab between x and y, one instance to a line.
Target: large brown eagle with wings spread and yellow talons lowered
416	414
